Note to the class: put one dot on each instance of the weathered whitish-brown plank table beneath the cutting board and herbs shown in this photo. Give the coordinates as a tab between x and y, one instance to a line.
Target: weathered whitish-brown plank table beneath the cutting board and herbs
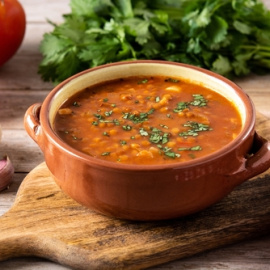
21	86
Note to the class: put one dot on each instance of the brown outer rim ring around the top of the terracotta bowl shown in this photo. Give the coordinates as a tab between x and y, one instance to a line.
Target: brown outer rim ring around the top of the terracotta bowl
247	129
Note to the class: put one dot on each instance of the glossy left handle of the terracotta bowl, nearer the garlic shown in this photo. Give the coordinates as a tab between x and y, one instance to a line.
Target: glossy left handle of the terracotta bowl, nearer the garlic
32	123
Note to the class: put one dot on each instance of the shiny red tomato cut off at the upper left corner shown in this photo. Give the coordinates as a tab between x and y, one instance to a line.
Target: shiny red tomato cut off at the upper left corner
12	28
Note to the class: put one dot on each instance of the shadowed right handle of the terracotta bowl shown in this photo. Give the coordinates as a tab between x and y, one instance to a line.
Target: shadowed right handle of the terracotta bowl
257	162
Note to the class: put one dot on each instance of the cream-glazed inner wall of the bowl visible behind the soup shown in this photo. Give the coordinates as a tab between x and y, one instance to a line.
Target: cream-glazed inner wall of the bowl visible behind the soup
145	69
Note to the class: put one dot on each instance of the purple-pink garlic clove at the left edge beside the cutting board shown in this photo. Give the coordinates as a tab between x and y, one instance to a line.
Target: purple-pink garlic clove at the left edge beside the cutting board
6	172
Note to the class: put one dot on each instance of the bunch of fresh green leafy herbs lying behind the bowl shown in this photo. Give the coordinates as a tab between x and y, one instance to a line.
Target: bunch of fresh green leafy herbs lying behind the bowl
230	37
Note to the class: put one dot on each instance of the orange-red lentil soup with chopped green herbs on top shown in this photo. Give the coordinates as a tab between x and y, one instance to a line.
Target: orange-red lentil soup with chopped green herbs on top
153	120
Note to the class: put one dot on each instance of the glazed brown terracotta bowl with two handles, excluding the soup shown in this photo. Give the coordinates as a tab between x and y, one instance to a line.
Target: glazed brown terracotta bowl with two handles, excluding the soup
148	192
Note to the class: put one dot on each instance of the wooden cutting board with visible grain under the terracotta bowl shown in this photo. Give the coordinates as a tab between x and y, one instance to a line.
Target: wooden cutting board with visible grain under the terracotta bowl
46	223
